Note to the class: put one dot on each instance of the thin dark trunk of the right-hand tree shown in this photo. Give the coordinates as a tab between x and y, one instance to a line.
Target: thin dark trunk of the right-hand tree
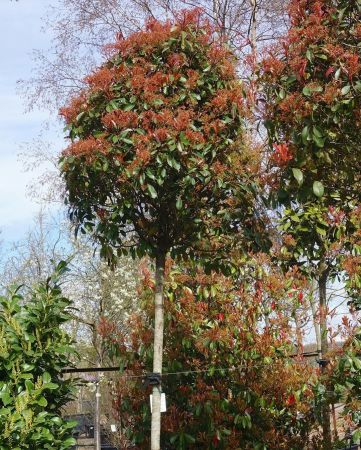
325	409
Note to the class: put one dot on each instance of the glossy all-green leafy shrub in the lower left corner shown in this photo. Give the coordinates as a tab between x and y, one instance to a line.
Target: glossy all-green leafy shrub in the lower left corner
33	350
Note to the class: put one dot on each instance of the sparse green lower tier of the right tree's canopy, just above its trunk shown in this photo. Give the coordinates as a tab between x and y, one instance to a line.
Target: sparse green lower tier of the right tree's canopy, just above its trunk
315	231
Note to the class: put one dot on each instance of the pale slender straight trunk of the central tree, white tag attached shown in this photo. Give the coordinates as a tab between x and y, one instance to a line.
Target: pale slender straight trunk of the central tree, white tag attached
158	349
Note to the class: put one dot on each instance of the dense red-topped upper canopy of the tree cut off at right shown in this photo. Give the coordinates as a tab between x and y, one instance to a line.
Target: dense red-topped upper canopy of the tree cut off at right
313	100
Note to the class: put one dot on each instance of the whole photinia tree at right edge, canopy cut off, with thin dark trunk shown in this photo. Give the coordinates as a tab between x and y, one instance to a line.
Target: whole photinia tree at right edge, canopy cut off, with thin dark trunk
312	91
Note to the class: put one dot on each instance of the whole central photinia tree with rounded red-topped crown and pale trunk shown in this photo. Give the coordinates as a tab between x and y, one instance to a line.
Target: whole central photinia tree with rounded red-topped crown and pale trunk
157	162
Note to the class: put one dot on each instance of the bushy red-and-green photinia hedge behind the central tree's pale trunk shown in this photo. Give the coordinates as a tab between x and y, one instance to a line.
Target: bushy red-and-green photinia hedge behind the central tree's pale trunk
229	381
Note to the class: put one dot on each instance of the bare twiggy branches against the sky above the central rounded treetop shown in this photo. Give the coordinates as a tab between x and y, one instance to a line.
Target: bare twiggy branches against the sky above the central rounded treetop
81	28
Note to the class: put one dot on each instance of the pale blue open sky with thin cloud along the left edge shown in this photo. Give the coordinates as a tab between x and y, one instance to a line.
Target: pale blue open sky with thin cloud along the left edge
20	33
